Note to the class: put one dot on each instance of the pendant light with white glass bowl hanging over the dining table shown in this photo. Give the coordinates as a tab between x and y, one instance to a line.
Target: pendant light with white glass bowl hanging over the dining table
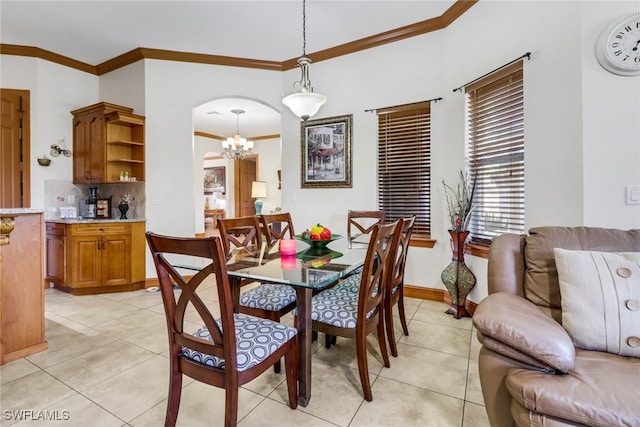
304	103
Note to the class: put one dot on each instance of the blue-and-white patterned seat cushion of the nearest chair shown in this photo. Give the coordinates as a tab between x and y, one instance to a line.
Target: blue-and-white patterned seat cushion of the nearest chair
256	339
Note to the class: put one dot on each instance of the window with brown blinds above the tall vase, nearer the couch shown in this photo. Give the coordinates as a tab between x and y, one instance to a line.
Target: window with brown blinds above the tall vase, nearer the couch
495	153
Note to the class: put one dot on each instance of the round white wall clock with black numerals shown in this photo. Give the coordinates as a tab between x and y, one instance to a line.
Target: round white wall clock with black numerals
618	47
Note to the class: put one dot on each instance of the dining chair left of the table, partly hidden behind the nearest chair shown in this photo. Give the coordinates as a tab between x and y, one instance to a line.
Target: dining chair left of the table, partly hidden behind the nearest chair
268	300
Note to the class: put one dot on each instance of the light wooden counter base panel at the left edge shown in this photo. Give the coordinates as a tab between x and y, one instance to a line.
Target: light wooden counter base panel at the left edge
21	289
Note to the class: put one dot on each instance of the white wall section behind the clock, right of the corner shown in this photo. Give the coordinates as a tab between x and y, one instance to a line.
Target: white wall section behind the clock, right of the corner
611	126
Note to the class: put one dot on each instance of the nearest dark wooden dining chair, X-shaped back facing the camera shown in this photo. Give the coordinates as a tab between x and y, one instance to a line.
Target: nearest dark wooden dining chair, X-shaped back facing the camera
220	353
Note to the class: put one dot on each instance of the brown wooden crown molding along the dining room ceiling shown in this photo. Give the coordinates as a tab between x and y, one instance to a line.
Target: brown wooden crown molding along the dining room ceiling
135	55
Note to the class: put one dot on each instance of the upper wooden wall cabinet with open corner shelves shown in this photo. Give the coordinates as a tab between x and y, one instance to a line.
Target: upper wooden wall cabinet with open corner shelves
108	144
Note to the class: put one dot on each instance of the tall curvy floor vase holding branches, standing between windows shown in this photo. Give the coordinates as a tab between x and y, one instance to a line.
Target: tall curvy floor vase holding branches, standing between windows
457	277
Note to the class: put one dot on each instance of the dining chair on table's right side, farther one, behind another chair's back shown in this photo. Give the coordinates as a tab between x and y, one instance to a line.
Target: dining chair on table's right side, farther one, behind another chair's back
394	284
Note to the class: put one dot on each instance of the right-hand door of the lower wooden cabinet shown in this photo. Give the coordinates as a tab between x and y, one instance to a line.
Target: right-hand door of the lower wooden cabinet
116	260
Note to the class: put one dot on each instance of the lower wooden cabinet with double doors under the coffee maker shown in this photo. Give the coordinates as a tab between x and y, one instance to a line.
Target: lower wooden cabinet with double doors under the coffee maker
100	257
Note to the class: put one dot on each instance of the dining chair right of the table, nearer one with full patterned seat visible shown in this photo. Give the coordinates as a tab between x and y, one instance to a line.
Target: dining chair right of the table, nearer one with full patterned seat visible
350	315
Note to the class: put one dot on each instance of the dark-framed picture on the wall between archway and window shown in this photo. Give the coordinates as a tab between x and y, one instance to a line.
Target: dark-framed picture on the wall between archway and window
326	152
